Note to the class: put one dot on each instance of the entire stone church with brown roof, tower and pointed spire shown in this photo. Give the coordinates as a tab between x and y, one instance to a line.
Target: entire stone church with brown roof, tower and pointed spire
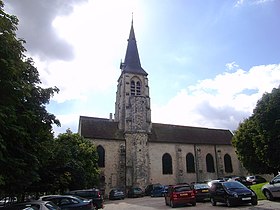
134	151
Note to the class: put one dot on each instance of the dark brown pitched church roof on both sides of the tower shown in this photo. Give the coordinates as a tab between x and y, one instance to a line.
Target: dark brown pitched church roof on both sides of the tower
101	128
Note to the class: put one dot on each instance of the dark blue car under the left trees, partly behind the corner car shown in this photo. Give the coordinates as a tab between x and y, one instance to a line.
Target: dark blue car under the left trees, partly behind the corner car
69	202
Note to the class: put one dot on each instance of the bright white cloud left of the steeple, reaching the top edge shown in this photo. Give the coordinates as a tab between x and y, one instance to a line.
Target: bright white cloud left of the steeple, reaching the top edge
98	47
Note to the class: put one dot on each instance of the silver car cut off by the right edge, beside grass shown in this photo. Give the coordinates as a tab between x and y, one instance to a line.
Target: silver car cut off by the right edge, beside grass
271	190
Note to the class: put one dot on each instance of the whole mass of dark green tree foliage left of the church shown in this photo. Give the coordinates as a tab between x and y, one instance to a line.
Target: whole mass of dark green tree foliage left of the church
31	159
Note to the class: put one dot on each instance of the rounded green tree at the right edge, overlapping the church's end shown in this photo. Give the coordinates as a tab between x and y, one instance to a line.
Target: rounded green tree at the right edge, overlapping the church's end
257	139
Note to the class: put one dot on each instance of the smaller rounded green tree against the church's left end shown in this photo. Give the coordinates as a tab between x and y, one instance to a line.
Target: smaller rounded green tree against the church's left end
72	164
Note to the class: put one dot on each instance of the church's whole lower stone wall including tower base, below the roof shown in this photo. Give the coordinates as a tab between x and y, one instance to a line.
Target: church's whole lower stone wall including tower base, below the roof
137	162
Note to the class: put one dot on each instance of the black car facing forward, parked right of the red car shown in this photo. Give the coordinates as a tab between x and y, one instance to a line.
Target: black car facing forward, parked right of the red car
231	193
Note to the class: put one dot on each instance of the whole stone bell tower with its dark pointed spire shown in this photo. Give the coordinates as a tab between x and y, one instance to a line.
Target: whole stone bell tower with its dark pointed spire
133	114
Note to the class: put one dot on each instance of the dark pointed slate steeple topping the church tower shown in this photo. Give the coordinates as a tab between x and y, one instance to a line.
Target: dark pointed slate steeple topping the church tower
132	61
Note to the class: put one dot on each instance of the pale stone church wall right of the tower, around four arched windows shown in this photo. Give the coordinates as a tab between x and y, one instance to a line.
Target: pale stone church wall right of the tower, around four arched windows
178	153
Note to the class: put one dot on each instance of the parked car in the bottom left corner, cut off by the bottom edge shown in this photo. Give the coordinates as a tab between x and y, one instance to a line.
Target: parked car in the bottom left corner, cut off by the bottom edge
36	205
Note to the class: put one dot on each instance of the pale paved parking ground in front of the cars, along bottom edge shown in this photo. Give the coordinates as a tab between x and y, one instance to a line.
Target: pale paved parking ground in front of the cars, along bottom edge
148	203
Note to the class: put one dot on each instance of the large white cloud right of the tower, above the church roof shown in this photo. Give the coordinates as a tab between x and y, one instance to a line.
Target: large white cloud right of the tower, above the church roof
221	102
